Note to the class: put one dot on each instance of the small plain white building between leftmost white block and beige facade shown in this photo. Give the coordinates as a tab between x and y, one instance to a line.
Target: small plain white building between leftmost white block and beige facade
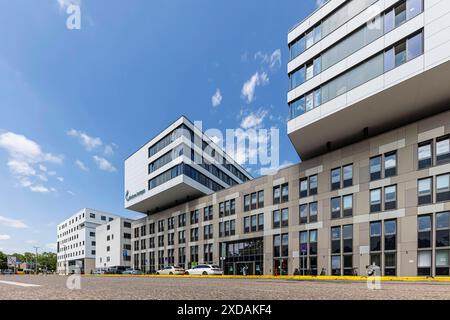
113	244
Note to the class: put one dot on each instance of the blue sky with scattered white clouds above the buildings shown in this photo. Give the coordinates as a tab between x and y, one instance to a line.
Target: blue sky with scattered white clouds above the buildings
75	103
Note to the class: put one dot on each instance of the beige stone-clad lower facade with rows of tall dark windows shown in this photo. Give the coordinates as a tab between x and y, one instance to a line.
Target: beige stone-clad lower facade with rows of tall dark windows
398	250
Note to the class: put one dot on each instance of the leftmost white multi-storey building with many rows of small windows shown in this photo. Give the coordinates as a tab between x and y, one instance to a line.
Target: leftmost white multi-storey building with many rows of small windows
76	241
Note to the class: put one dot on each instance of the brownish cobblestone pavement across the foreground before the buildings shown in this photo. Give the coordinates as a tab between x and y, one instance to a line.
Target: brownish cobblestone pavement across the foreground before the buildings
54	287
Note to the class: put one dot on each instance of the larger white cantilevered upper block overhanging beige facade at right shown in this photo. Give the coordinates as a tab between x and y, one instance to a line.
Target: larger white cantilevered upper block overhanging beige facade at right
360	68
